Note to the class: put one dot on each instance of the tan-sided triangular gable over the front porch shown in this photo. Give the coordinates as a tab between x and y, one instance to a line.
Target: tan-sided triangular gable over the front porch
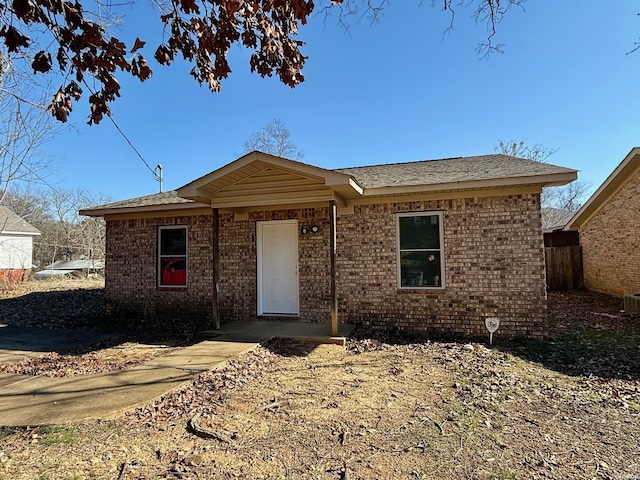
258	179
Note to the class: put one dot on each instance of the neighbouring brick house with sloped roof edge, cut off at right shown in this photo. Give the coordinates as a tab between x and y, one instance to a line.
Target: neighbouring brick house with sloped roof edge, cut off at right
609	226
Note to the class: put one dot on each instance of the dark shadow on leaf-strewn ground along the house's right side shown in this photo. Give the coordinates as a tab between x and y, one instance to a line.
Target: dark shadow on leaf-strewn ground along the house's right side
588	335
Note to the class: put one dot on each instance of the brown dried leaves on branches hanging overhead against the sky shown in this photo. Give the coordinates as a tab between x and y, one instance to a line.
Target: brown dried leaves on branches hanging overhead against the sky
202	31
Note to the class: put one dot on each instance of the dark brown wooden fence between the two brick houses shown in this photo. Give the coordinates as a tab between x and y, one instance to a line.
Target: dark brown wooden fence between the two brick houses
564	267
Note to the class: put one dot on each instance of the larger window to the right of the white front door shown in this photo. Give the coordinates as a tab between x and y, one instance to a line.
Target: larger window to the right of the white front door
420	253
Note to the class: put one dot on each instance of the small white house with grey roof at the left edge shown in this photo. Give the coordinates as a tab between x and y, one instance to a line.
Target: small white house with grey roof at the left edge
16	246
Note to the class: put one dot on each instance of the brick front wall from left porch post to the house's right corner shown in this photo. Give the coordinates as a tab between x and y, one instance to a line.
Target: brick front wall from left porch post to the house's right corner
494	266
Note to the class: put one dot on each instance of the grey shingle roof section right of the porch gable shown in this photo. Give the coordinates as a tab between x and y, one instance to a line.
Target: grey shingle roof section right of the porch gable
461	169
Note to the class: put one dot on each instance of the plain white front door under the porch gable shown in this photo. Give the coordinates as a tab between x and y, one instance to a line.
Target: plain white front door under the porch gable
278	267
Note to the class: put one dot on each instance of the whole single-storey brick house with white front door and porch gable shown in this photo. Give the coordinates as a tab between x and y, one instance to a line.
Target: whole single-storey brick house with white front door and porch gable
432	246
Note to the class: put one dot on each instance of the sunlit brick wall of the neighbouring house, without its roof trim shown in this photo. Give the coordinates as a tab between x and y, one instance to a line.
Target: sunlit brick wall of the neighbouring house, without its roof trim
611	243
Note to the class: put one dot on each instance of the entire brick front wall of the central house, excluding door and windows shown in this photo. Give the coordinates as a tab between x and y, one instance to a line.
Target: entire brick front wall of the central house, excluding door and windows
494	266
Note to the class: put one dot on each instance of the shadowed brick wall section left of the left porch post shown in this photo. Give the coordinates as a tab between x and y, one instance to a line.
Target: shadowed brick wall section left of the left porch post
131	275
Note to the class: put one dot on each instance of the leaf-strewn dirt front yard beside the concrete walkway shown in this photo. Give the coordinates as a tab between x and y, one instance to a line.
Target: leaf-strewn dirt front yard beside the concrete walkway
386	407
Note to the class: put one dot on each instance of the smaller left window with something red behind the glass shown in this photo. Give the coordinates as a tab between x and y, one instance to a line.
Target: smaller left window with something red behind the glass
172	256
